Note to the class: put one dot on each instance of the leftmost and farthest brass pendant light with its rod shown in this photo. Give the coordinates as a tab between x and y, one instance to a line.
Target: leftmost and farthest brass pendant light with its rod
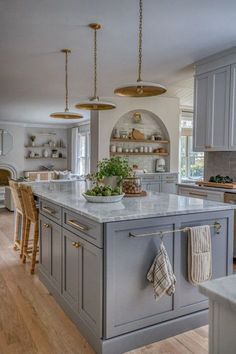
67	114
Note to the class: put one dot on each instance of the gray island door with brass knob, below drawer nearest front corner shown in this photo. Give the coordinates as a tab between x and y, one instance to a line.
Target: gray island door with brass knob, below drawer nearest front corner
82	280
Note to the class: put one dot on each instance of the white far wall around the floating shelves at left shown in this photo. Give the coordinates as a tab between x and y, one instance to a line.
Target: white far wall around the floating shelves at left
20	133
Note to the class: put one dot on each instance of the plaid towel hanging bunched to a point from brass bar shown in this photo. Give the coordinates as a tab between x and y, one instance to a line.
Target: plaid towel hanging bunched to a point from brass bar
161	274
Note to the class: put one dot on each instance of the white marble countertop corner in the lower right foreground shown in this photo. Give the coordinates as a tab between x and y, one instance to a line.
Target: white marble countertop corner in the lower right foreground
221	290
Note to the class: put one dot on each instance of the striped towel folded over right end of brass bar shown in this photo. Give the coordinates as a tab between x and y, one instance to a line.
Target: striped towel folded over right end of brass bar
199	254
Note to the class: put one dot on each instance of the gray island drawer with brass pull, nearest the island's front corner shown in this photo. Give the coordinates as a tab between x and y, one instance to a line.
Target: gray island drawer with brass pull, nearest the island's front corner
88	229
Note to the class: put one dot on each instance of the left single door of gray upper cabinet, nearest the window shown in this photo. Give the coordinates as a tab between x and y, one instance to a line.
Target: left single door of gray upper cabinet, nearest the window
201	111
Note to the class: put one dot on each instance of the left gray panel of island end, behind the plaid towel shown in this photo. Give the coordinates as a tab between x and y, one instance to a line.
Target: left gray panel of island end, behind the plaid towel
129	296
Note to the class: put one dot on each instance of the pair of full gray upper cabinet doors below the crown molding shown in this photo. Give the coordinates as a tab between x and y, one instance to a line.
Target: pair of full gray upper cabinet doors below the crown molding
211	113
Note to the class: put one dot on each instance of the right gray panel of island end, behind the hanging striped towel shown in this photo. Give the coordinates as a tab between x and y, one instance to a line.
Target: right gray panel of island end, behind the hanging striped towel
189	298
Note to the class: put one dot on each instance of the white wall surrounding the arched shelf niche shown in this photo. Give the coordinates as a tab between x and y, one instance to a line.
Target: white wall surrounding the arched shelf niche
167	109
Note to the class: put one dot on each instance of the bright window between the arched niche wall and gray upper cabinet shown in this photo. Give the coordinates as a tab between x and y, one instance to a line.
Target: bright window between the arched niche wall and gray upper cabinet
191	163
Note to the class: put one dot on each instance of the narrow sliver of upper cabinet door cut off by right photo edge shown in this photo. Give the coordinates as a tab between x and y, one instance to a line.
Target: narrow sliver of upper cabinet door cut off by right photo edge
232	120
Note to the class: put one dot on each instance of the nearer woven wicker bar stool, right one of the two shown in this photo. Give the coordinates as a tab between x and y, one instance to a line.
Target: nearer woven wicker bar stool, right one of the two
31	213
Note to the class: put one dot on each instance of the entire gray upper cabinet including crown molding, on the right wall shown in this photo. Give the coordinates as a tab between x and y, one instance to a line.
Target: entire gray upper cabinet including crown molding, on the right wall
214	103
